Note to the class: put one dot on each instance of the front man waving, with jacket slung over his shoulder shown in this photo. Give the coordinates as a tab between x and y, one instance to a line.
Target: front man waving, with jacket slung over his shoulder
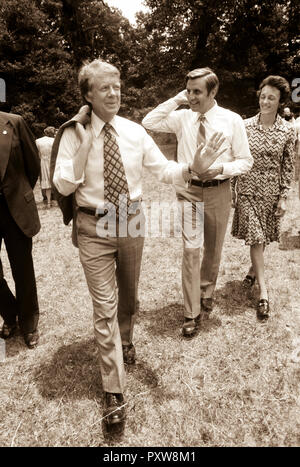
84	166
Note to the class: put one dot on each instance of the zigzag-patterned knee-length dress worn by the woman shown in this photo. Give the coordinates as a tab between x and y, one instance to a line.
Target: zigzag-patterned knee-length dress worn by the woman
258	190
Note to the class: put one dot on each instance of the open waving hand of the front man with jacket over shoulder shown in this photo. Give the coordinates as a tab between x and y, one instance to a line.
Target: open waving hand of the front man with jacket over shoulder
206	155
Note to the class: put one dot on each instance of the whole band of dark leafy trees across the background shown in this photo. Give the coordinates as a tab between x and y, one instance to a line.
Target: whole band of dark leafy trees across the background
44	42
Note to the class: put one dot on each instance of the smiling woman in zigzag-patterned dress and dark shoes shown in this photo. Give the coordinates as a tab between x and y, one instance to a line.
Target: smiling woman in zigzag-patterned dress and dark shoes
260	195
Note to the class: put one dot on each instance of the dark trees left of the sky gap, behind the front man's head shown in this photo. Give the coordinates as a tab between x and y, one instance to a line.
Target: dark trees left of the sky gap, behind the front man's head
42	46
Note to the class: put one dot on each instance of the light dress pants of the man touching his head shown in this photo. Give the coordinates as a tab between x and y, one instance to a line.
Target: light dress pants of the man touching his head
204	239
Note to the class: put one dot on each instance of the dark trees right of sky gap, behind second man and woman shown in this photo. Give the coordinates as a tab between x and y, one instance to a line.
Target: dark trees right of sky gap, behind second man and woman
242	40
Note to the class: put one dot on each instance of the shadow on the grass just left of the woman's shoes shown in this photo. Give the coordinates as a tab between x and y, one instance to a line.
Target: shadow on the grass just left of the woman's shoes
233	299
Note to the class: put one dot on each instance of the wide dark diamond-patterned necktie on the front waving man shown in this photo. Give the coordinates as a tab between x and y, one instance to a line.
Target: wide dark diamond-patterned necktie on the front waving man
115	183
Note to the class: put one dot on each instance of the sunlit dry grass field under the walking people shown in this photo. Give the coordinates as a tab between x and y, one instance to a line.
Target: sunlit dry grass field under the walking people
235	384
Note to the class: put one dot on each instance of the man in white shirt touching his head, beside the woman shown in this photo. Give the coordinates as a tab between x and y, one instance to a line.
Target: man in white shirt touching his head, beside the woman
212	188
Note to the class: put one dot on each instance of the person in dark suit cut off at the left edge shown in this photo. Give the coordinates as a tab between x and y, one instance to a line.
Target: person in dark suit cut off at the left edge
19	222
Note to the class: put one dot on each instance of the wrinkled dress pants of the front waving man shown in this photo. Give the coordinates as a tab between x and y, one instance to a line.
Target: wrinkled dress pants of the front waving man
112	268
